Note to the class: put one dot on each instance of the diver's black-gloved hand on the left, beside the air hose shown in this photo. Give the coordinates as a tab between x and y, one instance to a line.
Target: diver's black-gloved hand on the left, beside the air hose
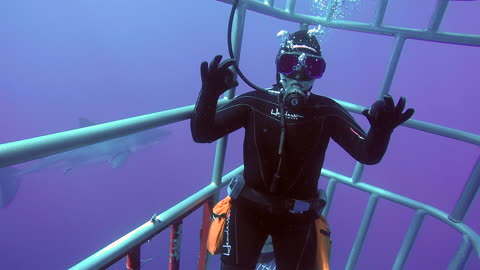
217	77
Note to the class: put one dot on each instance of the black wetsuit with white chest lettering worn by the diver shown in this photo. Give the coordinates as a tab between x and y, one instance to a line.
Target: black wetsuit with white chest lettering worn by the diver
307	135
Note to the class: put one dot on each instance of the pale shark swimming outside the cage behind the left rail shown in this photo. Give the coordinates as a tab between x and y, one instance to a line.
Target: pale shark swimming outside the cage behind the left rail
116	152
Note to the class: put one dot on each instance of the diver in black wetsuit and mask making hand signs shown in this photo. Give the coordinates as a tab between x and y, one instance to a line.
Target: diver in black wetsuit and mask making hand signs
287	130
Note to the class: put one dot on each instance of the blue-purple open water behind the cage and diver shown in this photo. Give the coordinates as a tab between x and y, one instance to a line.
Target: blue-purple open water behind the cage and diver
110	60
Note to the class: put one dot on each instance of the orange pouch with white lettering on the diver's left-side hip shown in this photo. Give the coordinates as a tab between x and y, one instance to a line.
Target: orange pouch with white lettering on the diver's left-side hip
215	234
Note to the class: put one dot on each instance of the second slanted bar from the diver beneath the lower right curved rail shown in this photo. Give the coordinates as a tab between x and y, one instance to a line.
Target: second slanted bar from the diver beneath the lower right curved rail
362	232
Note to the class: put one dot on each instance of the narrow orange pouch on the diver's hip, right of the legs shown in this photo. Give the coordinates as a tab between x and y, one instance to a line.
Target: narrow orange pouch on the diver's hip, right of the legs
323	244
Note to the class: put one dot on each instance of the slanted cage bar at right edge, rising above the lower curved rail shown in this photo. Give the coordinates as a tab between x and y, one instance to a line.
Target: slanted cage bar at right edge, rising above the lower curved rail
468	194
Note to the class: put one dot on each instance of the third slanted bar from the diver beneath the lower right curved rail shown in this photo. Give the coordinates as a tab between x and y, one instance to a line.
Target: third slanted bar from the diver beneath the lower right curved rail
409	240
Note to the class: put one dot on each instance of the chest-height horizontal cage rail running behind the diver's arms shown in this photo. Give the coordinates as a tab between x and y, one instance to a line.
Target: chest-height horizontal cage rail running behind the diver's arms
30	149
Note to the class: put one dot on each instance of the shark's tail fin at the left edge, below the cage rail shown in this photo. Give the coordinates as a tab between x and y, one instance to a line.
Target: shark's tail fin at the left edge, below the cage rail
9	182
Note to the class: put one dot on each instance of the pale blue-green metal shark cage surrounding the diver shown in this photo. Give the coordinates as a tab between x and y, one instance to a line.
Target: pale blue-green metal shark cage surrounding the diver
129	245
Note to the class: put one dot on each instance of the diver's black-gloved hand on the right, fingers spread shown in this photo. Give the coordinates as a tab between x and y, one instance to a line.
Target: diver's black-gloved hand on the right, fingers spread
384	114
